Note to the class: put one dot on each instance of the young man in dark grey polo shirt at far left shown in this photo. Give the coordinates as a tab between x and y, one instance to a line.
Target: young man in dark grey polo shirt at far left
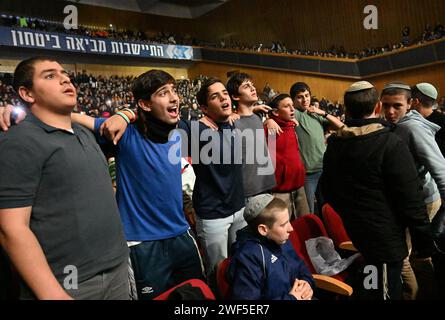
59	222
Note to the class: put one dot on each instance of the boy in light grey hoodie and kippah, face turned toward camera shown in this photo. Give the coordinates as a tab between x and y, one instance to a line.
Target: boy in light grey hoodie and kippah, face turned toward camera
419	134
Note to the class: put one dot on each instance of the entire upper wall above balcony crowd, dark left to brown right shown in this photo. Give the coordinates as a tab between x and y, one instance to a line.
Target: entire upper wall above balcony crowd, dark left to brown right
304	24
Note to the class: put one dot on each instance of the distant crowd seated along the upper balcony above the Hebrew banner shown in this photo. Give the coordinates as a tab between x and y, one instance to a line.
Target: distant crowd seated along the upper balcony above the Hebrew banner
112	32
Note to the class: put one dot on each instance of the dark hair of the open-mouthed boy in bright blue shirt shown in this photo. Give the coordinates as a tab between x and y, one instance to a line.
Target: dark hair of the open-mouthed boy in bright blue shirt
147	83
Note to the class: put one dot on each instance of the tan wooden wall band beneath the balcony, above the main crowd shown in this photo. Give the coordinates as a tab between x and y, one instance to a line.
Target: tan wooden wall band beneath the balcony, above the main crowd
322	86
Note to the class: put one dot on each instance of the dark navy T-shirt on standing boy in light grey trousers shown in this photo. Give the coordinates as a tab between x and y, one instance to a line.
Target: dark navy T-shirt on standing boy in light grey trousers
218	191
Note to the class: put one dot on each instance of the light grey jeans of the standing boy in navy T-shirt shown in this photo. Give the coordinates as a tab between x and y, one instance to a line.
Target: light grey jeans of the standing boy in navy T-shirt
216	237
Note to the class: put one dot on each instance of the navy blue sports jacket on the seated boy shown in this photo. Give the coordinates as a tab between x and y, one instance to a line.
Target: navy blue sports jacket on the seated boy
271	278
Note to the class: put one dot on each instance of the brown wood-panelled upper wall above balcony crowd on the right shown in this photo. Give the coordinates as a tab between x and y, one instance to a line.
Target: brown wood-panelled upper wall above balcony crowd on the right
319	24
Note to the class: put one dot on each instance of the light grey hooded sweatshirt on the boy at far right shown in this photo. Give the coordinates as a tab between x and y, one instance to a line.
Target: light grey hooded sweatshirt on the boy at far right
420	133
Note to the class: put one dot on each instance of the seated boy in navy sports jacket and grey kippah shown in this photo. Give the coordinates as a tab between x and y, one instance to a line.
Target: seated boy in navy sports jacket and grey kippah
264	265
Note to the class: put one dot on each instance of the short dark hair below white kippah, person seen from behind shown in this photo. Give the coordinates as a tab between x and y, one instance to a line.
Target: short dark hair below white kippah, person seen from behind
360	104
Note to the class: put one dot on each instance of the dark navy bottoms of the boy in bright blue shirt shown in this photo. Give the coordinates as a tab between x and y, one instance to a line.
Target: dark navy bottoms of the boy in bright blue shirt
161	264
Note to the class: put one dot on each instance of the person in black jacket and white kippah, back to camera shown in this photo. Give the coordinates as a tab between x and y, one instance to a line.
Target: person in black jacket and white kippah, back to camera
370	179
